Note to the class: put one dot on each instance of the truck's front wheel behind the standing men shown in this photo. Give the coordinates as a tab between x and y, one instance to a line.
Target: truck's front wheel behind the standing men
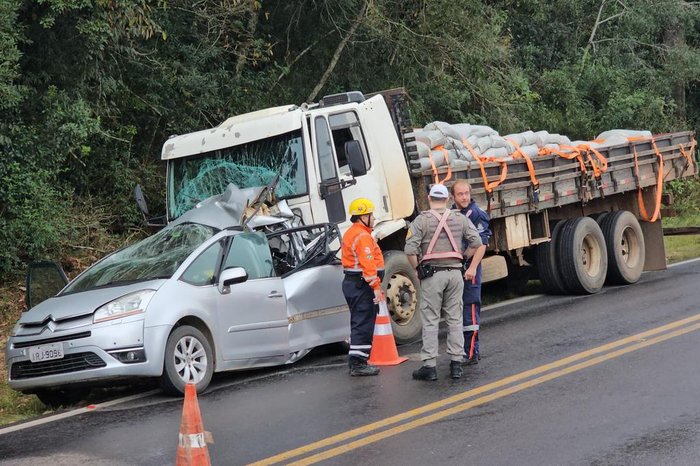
402	289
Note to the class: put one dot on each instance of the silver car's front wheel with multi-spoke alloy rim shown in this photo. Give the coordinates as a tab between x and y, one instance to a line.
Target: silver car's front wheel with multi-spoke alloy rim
188	359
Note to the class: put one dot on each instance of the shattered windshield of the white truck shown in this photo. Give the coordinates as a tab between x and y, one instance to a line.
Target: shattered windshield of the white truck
193	179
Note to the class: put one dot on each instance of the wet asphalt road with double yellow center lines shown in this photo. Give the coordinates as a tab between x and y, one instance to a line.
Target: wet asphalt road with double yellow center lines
606	379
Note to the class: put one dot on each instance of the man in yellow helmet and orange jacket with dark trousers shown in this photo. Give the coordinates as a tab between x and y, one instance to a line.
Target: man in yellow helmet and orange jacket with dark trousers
363	265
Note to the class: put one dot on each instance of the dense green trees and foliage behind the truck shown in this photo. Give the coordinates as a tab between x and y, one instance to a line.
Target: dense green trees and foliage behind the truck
90	89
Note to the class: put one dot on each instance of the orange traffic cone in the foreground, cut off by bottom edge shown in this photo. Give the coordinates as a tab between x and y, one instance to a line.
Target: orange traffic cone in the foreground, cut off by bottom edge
192	447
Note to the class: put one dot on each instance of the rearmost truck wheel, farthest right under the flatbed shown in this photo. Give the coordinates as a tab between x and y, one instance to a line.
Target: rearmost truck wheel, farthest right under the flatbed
625	242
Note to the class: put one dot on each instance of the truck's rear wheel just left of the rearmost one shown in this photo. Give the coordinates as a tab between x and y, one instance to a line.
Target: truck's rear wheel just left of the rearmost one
582	256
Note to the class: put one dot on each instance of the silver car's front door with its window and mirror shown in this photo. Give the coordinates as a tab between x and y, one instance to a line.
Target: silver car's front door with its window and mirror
253	319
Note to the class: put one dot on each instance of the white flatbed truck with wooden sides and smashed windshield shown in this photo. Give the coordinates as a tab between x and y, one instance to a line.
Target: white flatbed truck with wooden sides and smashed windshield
575	228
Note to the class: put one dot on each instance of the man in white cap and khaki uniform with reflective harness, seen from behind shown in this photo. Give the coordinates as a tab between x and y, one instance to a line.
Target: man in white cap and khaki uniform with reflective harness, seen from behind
436	238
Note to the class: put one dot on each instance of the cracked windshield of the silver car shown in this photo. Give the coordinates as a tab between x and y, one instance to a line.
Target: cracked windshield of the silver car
158	256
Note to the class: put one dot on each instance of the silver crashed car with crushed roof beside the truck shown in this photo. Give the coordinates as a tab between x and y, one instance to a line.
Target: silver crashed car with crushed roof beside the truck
218	289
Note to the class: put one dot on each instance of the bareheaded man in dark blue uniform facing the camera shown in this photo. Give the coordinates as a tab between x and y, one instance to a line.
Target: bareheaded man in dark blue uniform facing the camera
471	298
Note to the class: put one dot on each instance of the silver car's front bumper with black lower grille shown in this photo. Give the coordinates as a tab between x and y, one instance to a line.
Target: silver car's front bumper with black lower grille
87	358
